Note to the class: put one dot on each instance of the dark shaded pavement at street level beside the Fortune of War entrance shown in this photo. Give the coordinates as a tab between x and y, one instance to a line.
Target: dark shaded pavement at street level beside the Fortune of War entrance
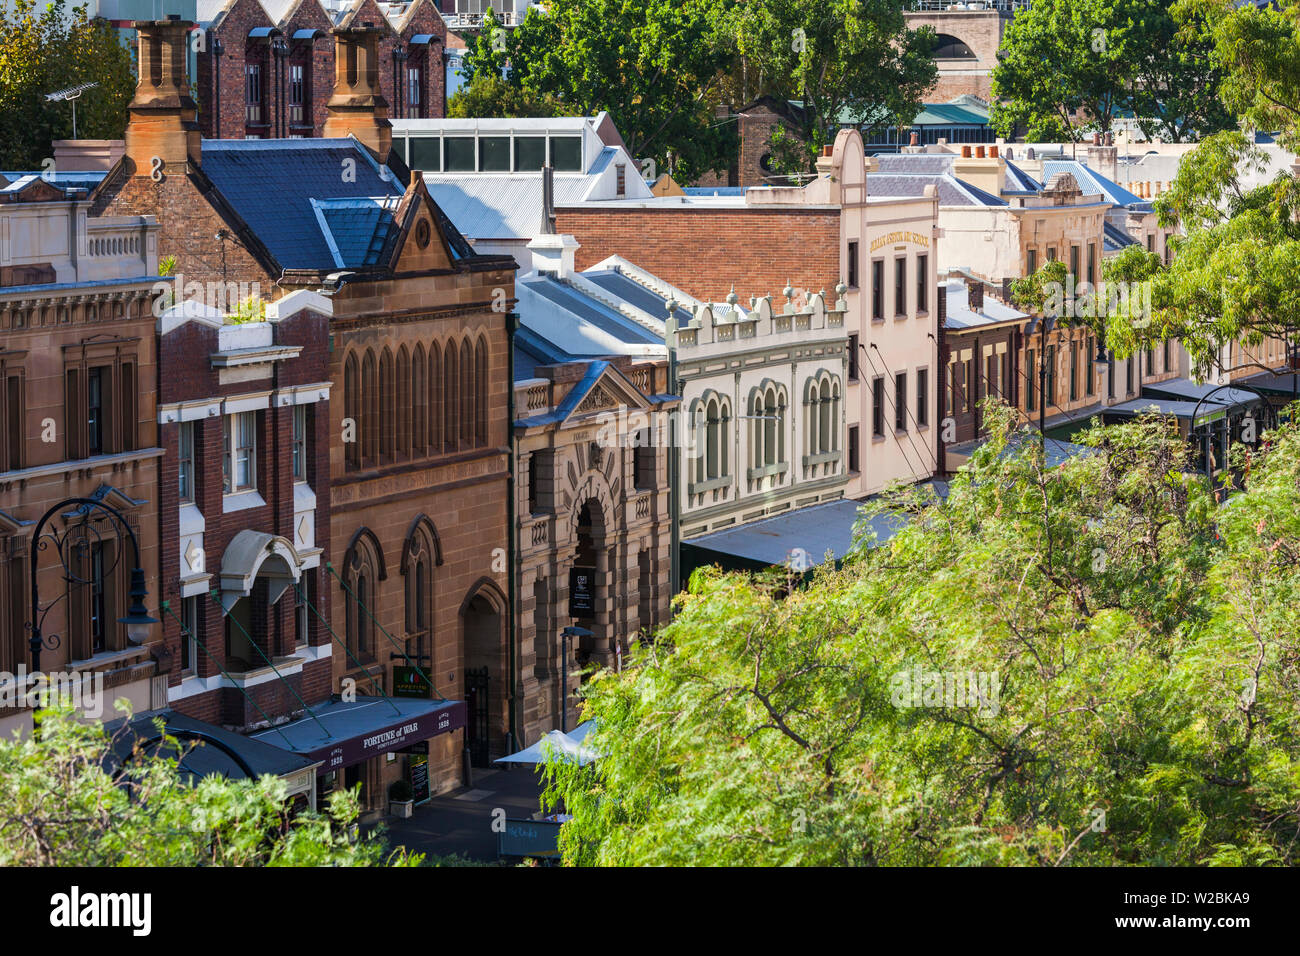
460	823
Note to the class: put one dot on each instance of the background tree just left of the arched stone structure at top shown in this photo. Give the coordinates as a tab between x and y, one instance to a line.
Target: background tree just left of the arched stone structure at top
850	63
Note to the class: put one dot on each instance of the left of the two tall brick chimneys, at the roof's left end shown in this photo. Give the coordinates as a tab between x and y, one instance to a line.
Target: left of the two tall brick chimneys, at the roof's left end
163	118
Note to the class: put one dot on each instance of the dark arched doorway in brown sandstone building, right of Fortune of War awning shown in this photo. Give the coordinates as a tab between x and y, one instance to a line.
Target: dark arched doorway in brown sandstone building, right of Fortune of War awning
487	674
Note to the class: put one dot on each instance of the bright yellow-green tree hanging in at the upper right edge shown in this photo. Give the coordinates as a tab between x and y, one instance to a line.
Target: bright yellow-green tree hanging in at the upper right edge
1233	274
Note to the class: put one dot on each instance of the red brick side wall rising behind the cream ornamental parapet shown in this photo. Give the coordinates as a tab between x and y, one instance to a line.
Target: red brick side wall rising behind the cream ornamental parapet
704	252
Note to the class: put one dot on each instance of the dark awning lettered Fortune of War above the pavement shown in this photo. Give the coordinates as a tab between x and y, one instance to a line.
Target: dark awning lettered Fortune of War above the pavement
345	733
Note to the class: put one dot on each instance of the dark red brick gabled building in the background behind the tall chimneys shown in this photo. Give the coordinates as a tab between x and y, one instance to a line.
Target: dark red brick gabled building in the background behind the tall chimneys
267	70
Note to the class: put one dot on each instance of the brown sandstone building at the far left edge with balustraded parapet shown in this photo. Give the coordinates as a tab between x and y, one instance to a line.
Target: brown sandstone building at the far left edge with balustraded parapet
77	377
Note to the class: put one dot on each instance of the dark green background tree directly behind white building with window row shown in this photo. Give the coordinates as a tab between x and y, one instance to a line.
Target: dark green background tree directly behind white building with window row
652	64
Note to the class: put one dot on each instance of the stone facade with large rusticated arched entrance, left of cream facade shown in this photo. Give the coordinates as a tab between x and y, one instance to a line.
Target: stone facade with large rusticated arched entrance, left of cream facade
593	529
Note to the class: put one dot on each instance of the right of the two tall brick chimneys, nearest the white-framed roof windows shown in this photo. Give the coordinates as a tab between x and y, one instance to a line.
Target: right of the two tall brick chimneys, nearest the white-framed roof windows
358	109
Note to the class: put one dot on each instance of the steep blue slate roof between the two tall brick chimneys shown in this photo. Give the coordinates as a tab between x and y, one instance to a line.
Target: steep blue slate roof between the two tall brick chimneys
272	185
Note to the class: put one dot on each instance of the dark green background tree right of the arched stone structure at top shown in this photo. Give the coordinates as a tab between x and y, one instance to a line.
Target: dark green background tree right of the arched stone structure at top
1068	66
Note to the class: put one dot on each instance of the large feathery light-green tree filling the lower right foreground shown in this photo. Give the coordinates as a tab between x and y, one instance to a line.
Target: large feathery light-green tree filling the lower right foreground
1084	665
